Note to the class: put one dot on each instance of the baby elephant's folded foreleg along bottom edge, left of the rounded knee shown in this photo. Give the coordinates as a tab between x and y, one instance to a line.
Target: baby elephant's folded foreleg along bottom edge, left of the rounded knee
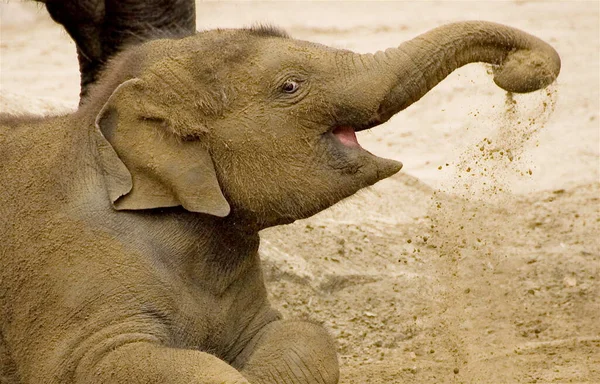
148	363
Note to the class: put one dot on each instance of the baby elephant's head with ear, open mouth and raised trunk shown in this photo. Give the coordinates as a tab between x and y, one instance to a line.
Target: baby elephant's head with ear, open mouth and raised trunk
256	126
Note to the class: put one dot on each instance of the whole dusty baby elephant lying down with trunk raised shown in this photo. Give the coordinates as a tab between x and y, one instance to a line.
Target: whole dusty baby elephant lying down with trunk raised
130	227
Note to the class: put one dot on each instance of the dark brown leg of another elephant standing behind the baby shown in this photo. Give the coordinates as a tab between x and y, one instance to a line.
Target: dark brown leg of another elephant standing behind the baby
102	28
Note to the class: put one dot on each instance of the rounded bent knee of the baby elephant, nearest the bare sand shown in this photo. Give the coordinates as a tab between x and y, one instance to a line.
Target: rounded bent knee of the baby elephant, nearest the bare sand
295	352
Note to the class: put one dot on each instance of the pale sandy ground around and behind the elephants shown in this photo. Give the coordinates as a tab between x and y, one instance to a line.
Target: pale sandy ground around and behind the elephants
480	262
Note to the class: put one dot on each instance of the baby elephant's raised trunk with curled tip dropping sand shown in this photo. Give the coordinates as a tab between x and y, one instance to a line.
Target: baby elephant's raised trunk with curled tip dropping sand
523	63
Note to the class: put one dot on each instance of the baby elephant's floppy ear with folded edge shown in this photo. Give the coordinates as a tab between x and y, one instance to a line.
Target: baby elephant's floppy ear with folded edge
146	164
